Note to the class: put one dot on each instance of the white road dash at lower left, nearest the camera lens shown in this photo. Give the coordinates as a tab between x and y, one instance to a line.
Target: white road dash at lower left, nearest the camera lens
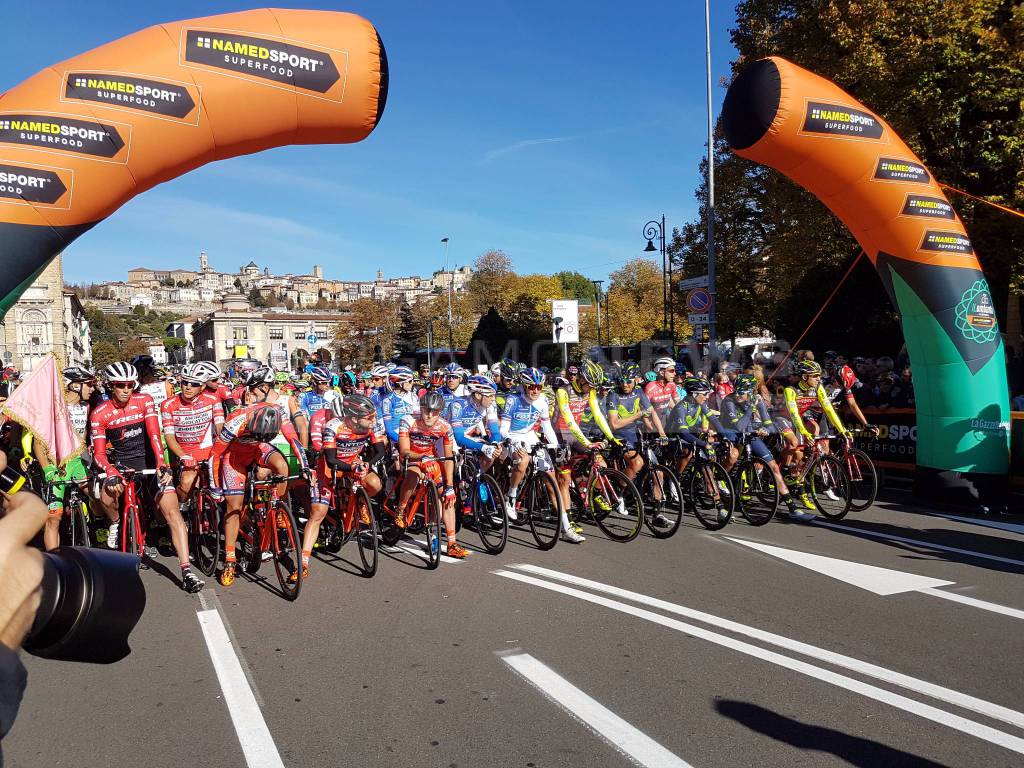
258	744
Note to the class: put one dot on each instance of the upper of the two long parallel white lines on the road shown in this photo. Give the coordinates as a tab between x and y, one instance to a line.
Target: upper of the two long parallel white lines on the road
940	693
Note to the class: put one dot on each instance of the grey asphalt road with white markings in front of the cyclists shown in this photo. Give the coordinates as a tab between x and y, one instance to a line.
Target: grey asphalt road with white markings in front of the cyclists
699	651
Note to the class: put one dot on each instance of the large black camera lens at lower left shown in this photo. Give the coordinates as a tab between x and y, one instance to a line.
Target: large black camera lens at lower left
92	602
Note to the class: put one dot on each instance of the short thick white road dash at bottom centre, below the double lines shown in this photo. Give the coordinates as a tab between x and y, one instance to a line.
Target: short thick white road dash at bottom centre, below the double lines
626	739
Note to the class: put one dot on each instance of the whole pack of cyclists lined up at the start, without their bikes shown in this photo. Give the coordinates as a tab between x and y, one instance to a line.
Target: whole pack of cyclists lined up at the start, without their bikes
170	432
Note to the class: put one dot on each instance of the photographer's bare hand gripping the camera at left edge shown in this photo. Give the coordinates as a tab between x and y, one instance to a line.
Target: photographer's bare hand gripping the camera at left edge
21	567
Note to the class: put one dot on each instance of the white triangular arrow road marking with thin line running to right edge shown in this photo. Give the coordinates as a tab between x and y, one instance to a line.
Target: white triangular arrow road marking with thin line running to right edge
874	579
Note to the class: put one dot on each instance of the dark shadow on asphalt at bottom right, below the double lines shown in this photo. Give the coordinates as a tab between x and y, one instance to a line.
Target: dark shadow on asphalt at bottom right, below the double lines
856	751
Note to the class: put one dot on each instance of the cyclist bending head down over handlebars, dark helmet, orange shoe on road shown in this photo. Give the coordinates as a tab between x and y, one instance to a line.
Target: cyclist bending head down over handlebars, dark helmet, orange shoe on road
245	441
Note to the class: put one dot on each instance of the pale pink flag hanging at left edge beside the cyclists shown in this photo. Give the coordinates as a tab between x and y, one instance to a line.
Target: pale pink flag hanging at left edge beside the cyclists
39	406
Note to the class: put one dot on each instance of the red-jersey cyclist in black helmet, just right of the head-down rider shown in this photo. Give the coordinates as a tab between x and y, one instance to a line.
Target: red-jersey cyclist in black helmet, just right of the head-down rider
342	442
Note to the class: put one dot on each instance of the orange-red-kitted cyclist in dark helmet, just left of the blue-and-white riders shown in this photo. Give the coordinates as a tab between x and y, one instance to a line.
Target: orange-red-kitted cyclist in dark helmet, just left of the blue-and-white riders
418	439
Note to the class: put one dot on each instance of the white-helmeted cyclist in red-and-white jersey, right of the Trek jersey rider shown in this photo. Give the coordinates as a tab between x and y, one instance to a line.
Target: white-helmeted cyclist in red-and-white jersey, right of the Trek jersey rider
192	421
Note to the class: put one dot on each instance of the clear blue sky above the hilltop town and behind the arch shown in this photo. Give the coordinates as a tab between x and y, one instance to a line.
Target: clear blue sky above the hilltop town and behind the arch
551	131
